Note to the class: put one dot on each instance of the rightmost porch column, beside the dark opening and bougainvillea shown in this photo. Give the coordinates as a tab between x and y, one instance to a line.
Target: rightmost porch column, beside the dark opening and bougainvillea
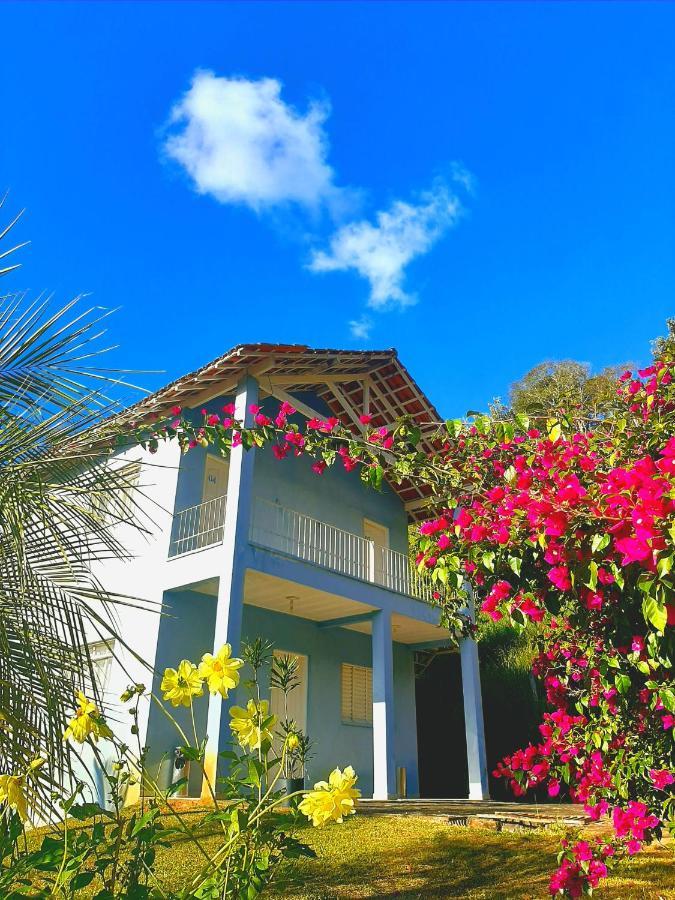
479	787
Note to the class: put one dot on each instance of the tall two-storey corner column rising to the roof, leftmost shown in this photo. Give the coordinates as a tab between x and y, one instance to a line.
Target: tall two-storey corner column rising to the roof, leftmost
230	599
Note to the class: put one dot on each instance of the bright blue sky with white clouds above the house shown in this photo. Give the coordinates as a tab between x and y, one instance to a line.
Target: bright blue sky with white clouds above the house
482	186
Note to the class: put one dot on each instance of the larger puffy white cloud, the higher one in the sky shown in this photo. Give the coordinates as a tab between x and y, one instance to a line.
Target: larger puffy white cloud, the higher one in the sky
241	143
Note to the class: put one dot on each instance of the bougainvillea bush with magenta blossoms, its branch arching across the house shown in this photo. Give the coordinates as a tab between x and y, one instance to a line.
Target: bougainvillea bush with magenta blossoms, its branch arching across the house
566	522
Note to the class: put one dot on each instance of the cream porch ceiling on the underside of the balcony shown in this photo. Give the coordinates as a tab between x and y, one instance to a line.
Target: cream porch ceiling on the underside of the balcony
290	598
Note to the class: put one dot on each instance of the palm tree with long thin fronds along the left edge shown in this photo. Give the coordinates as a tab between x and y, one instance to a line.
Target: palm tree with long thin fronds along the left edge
60	499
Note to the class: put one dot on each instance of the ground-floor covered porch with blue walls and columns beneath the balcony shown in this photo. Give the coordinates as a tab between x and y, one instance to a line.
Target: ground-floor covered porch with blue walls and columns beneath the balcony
358	654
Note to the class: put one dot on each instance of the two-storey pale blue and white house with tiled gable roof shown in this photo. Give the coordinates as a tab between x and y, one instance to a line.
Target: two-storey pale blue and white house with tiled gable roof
254	547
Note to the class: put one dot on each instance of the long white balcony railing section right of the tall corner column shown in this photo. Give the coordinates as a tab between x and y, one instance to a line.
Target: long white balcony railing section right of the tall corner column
287	531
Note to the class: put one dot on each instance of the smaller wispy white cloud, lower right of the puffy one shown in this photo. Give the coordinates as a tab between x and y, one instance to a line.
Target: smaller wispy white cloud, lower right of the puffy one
381	252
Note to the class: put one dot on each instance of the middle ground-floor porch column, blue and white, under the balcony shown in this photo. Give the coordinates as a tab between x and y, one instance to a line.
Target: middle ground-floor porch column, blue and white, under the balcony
384	761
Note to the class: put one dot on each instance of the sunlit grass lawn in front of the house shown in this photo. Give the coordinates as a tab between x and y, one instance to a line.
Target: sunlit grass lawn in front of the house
411	856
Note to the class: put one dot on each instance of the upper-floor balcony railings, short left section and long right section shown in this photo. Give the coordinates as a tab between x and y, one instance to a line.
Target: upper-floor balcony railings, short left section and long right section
287	531
